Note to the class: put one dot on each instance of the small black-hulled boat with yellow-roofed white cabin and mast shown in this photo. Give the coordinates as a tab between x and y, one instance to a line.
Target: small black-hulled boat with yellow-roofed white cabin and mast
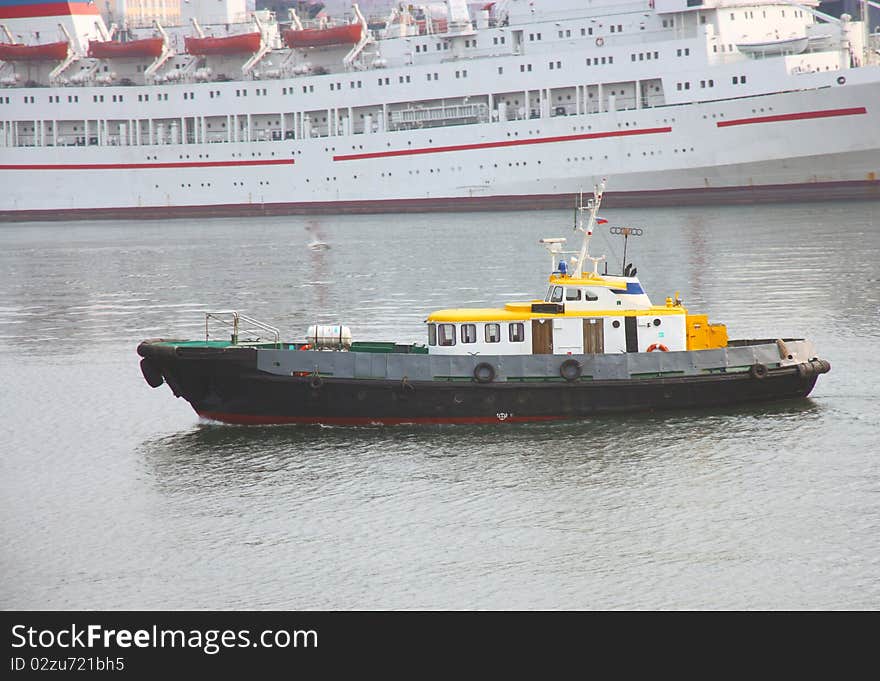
594	344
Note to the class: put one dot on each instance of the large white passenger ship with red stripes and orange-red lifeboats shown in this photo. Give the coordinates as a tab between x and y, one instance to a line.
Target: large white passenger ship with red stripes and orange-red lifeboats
512	104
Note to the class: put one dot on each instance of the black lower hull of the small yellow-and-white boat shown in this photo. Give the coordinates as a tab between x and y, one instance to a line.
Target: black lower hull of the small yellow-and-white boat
227	387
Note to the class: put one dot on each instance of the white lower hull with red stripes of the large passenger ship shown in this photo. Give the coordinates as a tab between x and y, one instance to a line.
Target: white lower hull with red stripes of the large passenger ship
819	144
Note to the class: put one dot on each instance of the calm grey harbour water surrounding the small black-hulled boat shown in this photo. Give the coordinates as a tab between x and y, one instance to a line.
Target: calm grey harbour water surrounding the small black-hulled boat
114	495
